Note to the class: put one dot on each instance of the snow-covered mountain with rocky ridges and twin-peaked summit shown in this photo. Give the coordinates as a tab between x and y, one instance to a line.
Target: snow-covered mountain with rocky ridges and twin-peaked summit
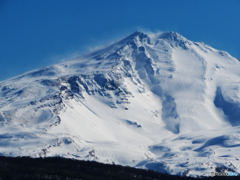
158	101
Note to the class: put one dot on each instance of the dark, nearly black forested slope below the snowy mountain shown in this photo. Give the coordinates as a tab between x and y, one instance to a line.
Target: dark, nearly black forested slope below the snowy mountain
55	168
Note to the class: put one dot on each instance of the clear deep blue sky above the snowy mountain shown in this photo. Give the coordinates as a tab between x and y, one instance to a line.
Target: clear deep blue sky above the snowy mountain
36	33
